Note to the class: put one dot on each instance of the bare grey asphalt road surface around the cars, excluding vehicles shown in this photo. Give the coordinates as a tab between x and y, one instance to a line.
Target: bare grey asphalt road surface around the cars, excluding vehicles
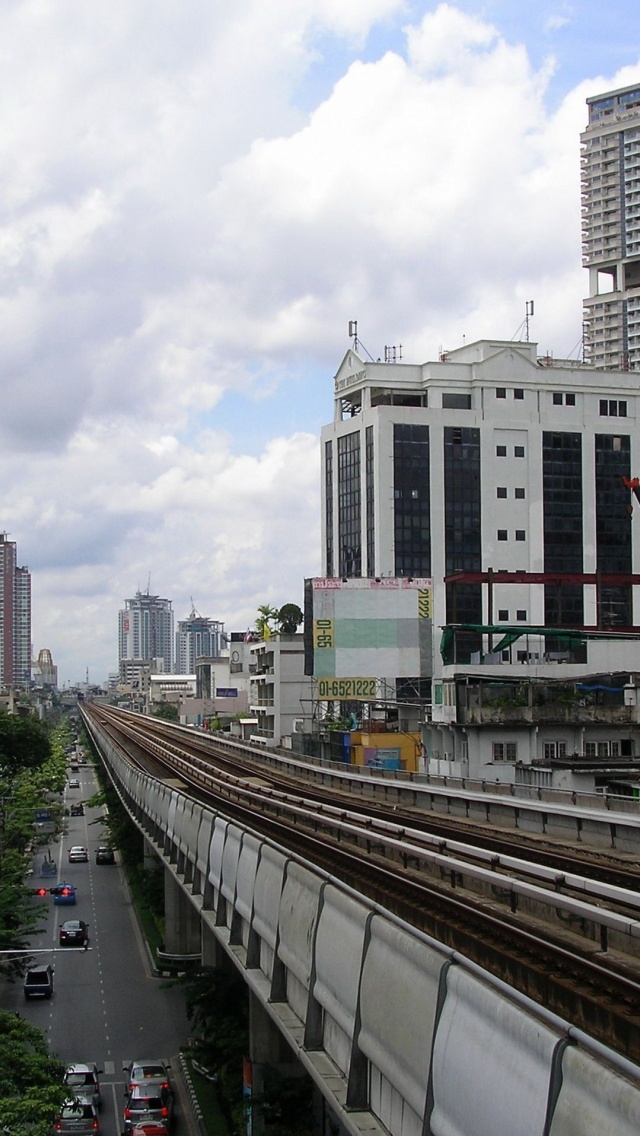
107	1007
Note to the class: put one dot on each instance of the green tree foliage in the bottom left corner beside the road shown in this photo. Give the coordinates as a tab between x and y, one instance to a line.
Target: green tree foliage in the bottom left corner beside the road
31	1080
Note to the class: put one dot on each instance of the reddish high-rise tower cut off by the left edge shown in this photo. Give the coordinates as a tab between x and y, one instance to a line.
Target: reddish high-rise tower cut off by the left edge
15	619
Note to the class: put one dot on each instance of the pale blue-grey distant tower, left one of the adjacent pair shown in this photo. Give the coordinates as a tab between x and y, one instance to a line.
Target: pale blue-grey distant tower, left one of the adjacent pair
146	634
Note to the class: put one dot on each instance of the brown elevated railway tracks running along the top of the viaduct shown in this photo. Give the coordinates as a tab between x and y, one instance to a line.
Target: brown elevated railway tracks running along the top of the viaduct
559	923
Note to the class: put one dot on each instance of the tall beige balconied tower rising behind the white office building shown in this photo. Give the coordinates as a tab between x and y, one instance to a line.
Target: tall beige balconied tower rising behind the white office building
611	229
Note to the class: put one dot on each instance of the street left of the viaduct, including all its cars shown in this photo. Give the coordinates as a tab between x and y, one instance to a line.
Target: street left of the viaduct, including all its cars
93	990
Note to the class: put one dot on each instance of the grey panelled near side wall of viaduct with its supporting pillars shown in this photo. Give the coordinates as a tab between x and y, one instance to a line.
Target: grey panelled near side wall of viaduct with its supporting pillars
400	1034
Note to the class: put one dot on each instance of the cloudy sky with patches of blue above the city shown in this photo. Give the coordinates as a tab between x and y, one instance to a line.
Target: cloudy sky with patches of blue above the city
196	201
